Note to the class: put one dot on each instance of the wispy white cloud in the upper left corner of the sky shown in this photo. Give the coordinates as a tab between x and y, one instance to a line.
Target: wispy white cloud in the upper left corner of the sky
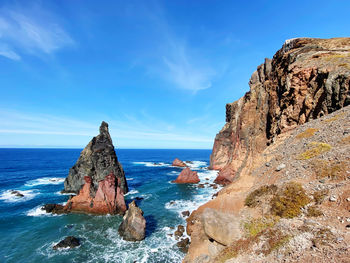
32	31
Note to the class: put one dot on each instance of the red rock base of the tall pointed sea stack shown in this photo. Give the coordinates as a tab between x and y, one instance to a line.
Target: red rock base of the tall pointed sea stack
107	200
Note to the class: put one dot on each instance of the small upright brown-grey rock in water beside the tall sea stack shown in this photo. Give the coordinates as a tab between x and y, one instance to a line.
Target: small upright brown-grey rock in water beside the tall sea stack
133	227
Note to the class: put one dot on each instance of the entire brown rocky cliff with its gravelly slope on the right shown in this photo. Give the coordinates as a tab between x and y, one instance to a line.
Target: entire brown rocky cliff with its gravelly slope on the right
284	157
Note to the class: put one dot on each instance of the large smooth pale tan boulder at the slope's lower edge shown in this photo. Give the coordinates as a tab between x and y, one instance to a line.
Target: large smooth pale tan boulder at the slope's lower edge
224	228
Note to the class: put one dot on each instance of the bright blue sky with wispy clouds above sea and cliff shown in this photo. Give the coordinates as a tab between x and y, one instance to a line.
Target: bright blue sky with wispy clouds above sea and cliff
159	72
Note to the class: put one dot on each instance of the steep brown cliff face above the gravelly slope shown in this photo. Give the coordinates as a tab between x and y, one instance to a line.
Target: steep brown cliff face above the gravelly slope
306	79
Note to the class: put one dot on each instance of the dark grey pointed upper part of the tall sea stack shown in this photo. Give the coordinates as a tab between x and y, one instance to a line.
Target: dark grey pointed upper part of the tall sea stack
96	161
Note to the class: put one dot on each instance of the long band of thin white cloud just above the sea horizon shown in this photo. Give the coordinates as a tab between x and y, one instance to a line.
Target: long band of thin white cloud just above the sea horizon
127	132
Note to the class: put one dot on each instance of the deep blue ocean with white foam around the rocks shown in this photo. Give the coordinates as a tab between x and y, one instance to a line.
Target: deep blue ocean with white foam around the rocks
28	233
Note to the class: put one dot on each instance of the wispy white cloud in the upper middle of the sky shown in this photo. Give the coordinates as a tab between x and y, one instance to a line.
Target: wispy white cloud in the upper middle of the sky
183	65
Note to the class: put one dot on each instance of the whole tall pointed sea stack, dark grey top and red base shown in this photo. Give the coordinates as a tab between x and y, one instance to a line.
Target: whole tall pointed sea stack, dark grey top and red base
97	178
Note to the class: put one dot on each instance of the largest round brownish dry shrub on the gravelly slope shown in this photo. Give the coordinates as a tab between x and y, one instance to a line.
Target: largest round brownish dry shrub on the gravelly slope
289	201
